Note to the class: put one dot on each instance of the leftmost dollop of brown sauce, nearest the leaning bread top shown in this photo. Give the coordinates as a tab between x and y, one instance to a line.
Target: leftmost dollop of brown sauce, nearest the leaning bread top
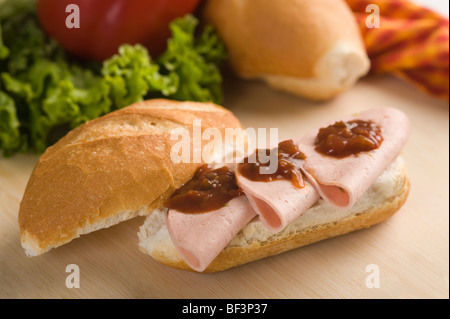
209	189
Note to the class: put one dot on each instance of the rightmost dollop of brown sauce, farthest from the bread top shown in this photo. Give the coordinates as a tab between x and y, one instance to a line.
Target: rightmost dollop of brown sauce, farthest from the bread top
343	139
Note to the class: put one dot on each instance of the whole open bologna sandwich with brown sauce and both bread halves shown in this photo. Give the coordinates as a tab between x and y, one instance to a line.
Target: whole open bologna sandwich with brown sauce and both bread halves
208	217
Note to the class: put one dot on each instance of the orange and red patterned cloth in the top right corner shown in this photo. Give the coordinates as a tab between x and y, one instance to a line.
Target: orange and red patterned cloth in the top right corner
411	42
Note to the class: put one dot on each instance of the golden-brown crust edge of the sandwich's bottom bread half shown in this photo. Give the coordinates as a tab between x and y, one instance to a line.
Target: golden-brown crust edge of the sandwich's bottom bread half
236	256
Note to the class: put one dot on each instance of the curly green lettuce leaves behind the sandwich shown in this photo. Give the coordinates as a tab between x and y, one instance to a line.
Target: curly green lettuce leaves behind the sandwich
44	92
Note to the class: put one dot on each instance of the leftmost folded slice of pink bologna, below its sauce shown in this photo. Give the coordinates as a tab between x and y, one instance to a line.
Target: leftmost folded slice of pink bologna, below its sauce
200	238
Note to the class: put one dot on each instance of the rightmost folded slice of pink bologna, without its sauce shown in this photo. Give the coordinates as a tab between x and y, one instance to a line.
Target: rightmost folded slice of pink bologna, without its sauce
342	181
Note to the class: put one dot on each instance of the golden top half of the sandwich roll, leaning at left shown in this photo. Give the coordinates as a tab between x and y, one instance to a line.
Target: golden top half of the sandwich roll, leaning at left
109	170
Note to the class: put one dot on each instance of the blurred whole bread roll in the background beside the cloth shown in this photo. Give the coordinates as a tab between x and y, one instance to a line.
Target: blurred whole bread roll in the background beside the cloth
310	48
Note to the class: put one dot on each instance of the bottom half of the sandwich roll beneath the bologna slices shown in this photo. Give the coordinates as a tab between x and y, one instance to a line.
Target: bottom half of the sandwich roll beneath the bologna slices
321	221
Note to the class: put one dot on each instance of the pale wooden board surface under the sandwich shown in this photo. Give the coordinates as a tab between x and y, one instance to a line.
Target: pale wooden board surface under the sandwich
410	251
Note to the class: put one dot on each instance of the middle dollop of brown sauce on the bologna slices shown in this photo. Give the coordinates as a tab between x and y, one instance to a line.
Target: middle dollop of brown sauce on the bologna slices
287	152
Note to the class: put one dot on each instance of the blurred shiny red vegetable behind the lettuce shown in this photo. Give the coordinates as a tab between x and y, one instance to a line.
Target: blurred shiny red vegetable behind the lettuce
106	24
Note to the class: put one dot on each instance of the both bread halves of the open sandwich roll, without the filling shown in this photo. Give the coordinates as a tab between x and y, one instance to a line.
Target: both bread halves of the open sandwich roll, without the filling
118	167
